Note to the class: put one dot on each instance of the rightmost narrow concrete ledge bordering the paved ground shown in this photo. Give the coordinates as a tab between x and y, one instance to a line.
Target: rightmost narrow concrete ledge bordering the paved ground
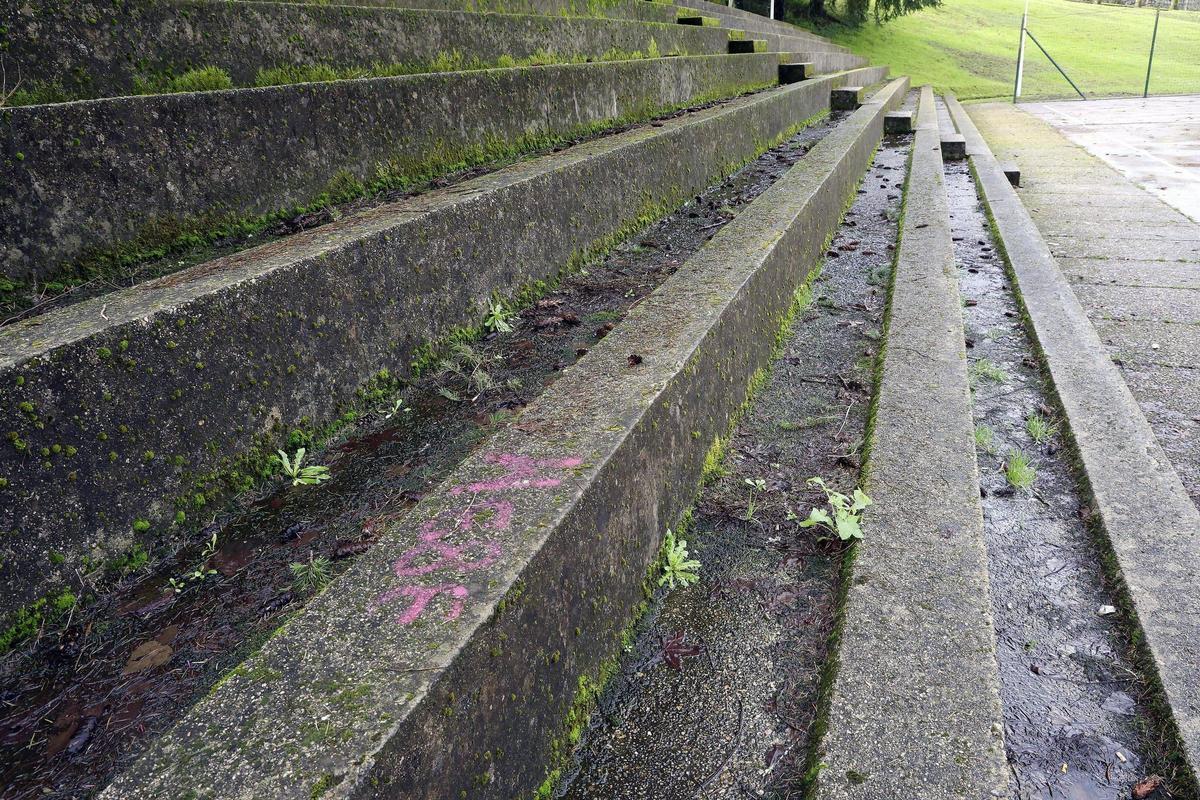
1149	521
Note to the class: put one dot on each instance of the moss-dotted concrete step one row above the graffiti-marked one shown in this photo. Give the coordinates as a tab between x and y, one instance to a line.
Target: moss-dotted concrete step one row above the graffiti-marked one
163	394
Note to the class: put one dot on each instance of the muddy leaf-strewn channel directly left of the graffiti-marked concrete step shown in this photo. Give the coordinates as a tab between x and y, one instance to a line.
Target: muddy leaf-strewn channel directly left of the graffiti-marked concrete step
73	712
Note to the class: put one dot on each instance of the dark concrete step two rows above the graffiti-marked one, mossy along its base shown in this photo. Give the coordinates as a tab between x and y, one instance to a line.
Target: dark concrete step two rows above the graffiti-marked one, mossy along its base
97	183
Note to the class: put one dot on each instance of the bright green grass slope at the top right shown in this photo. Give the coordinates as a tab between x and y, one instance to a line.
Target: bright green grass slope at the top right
969	47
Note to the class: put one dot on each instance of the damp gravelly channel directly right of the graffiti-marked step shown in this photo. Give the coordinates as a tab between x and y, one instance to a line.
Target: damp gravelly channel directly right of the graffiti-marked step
717	697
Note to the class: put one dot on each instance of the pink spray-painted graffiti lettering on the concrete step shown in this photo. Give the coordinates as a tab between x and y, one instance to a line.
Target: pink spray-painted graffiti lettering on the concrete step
434	554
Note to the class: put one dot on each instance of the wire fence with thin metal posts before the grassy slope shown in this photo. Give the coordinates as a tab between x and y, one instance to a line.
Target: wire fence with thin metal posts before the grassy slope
1115	50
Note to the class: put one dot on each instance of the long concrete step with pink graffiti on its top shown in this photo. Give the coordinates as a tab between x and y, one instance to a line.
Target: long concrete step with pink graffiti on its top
470	663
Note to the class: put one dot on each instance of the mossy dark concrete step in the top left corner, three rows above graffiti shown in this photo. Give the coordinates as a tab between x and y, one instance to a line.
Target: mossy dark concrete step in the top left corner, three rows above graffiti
129	49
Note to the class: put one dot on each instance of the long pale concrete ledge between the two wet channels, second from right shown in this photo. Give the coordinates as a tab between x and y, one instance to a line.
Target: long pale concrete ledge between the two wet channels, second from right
914	708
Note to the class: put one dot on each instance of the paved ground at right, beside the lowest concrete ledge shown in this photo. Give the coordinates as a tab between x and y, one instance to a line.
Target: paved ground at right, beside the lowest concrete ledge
1132	258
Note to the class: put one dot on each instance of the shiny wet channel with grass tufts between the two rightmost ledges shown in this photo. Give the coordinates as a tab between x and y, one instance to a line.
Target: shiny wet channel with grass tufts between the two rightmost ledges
1076	725
